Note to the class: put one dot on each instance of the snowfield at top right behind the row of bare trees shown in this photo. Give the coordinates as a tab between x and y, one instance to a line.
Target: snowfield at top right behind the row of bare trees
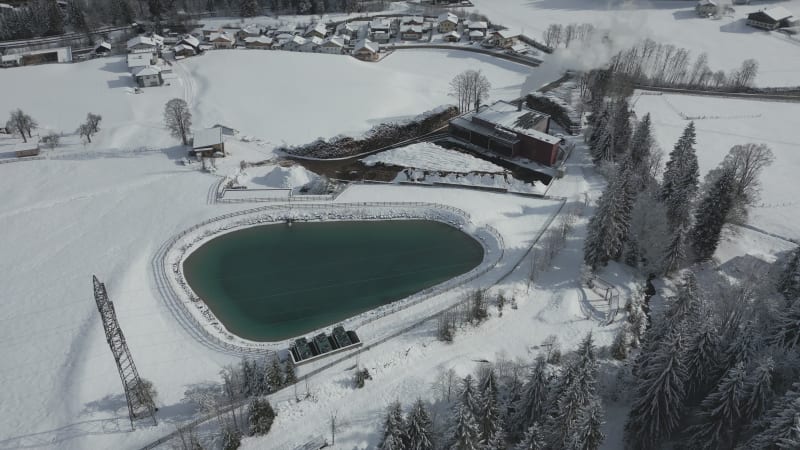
727	41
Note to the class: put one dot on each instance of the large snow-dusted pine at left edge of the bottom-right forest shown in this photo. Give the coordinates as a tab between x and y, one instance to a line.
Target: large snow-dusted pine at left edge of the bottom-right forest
659	397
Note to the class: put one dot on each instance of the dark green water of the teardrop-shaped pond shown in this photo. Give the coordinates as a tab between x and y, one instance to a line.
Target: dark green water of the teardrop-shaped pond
274	282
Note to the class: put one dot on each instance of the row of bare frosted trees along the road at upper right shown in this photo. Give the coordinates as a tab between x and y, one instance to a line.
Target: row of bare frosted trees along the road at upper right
667	65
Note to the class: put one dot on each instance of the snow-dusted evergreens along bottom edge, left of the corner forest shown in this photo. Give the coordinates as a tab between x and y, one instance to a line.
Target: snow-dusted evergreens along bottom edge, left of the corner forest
550	407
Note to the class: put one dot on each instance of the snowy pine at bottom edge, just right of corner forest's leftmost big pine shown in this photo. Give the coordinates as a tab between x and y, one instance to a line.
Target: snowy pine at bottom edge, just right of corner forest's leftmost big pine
720	414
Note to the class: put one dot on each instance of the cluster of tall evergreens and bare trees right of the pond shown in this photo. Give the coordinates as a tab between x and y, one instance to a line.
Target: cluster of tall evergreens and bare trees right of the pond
659	226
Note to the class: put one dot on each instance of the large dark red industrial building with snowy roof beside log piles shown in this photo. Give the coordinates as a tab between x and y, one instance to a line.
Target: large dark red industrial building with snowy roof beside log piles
513	131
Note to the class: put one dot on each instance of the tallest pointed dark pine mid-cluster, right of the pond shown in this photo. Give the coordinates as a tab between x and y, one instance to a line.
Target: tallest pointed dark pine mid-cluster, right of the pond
681	178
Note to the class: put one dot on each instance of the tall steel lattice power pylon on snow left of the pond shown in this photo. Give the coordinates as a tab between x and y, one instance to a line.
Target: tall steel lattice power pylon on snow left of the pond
140	403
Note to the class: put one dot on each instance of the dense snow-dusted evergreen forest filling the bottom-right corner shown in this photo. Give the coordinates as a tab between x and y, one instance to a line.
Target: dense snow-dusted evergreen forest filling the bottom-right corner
720	367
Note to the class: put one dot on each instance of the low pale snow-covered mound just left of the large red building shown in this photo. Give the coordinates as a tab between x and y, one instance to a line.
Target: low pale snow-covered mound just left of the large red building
429	156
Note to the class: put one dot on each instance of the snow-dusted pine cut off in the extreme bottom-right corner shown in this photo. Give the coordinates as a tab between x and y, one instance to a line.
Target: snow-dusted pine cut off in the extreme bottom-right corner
778	425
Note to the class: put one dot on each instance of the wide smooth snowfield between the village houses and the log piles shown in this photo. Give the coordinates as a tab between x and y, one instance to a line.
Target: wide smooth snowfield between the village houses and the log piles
294	98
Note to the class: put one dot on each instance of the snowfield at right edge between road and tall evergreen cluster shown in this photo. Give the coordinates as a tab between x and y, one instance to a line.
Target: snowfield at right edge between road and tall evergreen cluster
722	123
